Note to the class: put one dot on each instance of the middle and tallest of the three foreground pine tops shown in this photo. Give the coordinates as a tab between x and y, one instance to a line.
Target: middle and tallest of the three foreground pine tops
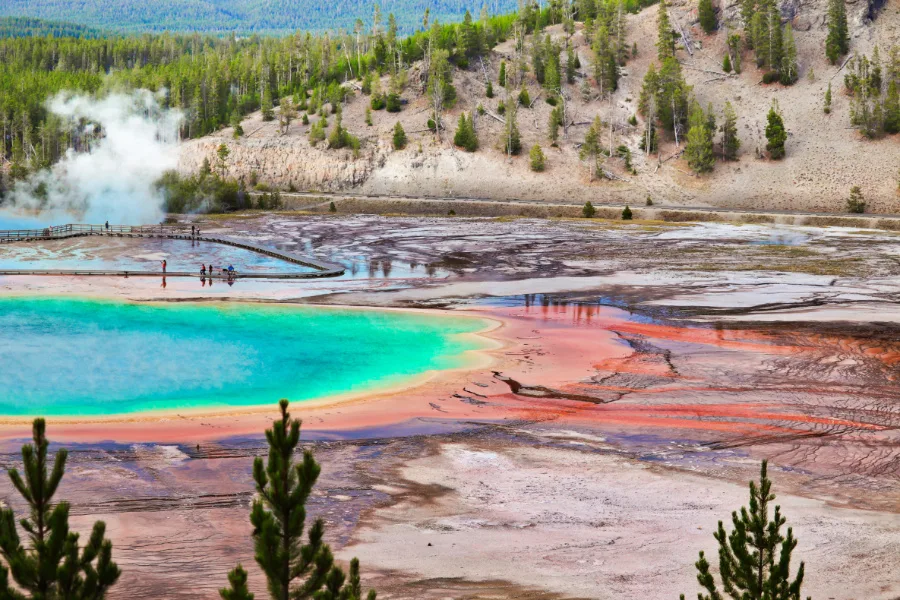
292	569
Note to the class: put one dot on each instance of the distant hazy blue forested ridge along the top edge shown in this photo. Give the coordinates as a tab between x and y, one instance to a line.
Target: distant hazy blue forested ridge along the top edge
243	16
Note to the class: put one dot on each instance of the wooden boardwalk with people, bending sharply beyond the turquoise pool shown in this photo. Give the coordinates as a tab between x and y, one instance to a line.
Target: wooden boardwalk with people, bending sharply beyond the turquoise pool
171	232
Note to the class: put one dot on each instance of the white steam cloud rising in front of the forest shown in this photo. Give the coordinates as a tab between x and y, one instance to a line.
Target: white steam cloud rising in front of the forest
115	180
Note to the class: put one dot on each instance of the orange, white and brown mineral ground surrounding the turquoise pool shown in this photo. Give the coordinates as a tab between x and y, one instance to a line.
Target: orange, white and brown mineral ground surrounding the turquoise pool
640	374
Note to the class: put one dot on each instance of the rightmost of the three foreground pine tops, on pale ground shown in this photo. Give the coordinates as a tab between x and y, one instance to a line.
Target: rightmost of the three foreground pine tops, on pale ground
755	558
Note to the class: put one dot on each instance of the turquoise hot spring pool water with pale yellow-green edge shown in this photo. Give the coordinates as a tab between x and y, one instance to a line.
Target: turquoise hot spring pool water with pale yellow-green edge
96	357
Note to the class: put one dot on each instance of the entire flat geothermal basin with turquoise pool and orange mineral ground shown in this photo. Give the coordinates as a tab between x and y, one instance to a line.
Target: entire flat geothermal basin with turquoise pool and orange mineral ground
503	408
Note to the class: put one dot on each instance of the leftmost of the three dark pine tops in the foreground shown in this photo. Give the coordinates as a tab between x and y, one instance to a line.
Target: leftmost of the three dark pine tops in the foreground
53	567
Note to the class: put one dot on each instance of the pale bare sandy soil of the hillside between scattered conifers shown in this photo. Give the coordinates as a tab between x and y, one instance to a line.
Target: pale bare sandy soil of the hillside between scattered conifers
825	156
